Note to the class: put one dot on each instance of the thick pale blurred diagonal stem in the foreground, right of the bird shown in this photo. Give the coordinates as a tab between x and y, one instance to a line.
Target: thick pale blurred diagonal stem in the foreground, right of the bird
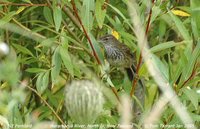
168	93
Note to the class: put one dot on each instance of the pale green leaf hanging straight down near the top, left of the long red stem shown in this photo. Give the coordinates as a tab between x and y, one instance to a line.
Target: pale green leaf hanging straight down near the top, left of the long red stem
57	16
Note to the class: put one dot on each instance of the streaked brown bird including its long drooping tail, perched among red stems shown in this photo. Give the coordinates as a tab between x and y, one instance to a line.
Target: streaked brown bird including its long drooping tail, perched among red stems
120	55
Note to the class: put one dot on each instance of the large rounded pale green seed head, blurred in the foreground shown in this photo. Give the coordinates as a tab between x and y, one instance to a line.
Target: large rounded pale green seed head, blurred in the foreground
84	101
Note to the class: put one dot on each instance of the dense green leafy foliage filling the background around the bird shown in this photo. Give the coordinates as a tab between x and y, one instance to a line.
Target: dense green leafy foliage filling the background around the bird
50	46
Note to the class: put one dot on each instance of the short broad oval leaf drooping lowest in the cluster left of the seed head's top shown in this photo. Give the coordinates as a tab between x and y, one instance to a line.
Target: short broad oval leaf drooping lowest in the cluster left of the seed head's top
42	82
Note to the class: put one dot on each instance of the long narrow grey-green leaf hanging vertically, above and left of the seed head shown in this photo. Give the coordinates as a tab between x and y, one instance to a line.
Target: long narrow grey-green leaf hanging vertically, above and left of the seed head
56	64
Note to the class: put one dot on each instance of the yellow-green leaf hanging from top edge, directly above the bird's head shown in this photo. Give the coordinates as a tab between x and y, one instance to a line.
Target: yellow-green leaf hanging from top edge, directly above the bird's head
100	13
